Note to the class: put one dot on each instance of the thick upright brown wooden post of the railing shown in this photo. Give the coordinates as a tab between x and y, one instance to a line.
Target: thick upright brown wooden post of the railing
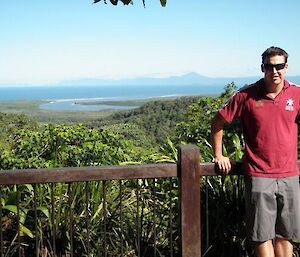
189	174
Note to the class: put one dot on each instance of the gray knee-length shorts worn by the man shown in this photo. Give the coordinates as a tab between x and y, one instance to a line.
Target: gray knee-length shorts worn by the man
272	208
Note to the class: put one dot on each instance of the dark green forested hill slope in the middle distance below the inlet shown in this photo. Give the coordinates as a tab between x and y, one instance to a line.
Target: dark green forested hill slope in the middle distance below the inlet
158	119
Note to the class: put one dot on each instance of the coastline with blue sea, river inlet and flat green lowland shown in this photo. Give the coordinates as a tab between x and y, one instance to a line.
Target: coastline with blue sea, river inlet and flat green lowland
85	103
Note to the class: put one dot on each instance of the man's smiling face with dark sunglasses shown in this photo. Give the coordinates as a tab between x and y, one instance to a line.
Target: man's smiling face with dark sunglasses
275	69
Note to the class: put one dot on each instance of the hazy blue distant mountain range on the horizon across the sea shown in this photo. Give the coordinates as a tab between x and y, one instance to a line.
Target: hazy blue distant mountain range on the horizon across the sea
183	80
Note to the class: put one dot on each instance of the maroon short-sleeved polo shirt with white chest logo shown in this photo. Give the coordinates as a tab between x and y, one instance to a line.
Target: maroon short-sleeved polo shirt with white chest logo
269	127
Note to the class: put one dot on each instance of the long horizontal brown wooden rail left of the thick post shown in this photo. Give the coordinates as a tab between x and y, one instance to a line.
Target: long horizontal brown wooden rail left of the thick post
78	174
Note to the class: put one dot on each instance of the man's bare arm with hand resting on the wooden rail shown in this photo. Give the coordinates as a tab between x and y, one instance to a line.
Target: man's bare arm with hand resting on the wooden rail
217	126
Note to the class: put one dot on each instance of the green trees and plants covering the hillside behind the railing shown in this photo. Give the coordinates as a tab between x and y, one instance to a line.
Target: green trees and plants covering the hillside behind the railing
148	134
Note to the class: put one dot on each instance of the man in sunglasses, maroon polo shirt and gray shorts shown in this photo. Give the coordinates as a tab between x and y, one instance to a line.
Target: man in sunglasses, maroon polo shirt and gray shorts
267	110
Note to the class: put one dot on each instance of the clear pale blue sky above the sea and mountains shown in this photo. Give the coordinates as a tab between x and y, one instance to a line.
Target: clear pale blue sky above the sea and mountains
50	41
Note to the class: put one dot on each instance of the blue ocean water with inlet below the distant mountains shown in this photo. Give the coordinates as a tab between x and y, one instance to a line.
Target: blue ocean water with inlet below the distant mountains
69	97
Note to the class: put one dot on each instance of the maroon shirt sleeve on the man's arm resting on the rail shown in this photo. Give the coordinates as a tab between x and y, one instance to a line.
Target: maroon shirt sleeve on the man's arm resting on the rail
233	108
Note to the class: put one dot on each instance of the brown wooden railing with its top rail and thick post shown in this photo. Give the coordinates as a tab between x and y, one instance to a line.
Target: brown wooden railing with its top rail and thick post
188	170
